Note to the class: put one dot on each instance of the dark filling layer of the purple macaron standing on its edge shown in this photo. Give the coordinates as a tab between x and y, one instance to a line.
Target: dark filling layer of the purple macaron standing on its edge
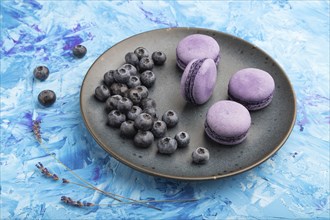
190	81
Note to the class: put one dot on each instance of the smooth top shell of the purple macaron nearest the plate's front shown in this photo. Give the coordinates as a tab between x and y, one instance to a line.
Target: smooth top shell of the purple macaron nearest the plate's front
228	119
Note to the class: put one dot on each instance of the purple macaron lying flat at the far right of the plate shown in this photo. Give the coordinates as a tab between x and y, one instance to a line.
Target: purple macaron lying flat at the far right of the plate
253	88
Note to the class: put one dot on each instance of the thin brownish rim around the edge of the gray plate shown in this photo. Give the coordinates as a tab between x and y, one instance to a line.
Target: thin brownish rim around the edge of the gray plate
190	178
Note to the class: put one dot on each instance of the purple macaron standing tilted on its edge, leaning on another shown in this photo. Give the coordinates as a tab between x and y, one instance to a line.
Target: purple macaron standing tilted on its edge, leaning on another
198	80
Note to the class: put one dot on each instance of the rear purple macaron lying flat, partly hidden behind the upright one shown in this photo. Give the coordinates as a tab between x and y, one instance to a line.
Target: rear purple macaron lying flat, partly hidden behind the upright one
197	46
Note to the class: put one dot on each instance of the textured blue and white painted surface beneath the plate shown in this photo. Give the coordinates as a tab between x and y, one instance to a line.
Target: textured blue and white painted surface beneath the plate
294	183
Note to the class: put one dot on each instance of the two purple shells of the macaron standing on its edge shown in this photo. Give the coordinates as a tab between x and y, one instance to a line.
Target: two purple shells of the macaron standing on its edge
204	82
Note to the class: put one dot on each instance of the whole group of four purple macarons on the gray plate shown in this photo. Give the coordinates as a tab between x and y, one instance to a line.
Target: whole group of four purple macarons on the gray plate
227	121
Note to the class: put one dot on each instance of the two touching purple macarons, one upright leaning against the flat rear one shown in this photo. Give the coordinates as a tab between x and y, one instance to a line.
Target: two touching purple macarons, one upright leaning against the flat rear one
198	55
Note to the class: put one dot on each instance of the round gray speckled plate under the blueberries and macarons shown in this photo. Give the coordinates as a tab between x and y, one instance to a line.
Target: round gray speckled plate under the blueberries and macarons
270	126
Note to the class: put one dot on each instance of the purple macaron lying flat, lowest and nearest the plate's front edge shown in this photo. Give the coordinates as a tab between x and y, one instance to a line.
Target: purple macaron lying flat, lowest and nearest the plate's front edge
227	122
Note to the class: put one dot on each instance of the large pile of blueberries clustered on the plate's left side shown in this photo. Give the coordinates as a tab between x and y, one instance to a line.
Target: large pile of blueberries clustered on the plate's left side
129	107
